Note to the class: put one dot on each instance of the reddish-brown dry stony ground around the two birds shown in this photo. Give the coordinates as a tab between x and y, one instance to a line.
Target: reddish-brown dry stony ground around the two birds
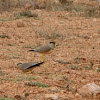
72	64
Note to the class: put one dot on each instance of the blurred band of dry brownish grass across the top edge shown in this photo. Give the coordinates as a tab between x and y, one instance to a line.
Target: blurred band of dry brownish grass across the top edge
86	9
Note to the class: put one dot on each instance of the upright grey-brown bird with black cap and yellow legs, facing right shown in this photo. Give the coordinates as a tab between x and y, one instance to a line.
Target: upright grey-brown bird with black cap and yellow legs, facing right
44	49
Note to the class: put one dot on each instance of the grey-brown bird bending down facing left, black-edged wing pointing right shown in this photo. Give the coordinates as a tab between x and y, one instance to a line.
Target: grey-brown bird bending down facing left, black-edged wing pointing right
28	66
